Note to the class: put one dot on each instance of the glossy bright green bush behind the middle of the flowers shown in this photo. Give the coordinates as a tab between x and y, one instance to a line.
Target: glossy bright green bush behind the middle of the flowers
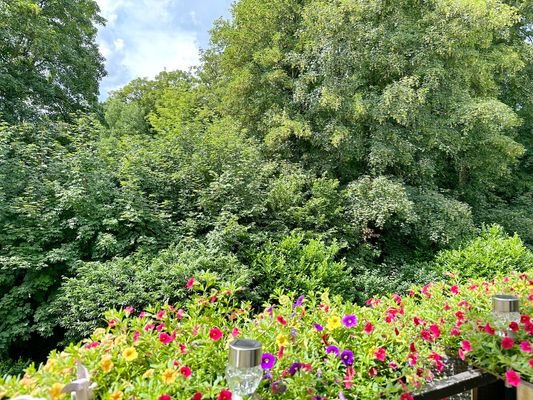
301	266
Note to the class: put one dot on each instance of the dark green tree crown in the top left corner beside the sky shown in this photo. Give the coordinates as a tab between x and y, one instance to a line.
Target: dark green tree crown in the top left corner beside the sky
49	60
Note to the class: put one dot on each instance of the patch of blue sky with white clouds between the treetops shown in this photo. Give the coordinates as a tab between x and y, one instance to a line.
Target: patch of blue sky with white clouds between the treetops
144	37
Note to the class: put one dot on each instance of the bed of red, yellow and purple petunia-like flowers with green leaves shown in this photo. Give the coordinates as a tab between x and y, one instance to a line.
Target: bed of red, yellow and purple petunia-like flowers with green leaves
314	346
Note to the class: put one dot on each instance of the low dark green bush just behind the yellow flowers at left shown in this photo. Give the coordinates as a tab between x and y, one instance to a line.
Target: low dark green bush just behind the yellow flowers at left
137	281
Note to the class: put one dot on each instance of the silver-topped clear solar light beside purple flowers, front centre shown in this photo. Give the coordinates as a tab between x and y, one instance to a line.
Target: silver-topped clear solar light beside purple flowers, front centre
244	372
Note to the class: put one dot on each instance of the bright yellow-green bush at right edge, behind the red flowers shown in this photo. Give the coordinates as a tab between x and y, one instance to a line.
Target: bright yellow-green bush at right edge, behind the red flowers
491	253
